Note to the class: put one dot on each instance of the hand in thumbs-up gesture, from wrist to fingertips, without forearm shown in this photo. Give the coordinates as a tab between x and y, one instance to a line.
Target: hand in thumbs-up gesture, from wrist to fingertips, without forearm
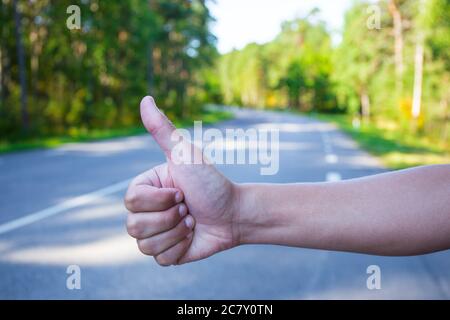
179	212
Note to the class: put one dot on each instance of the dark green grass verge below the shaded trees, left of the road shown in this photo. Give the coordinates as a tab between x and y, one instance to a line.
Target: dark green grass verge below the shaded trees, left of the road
208	117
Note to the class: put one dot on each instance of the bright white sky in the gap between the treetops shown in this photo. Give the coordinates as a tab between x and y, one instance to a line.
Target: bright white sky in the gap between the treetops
240	22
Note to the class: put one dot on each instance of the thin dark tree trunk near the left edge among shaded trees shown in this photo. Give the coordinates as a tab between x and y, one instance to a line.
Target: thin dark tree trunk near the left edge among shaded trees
22	73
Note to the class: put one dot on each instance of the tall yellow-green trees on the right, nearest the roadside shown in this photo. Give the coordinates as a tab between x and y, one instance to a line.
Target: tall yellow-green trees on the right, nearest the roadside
365	65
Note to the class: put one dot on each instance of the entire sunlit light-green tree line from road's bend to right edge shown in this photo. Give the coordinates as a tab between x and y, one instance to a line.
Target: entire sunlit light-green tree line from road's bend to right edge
369	74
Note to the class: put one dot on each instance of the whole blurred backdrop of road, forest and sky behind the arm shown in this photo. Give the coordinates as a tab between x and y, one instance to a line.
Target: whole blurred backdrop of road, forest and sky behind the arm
372	77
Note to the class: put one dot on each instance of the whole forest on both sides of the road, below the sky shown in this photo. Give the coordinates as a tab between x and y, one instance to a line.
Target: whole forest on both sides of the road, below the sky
390	66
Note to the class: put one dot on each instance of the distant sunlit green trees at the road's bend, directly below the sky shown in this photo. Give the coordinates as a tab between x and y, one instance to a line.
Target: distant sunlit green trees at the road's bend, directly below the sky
294	70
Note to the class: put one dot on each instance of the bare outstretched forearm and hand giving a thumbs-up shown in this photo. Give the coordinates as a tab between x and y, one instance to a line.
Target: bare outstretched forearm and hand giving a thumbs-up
183	212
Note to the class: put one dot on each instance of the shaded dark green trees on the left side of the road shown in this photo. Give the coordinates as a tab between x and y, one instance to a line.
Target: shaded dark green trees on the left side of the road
94	78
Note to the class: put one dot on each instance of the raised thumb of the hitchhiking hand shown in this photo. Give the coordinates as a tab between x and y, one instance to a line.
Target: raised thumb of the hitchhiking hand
157	124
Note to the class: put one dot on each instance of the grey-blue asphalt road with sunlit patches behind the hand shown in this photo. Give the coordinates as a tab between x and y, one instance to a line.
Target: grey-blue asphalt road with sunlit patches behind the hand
64	207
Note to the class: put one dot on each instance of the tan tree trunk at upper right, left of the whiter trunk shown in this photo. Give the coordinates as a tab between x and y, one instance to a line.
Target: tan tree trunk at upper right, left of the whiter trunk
398	47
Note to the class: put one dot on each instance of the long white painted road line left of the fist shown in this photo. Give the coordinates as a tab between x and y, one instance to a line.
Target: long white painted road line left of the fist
64	206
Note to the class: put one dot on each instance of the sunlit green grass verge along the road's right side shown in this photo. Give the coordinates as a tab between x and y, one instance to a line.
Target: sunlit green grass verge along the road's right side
395	148
